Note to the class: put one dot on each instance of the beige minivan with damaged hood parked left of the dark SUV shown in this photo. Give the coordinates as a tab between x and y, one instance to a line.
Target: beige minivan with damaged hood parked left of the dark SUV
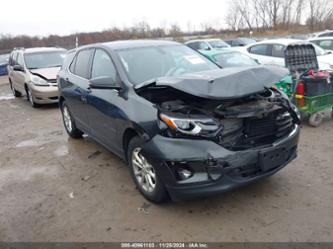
33	72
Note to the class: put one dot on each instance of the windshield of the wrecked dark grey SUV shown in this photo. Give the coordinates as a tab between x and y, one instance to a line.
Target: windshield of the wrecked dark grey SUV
147	63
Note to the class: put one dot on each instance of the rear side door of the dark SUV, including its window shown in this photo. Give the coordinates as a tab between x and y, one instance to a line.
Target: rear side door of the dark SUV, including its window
78	81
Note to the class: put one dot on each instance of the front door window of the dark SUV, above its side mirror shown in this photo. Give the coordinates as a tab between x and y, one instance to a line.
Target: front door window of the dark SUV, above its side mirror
103	66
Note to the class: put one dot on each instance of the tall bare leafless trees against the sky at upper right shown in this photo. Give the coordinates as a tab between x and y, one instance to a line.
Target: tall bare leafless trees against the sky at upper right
279	14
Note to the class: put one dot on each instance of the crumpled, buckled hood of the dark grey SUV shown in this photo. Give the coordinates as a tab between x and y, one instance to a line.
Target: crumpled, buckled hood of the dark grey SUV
225	83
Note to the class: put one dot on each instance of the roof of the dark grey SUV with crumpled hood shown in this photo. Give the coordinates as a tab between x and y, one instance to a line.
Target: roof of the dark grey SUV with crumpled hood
136	44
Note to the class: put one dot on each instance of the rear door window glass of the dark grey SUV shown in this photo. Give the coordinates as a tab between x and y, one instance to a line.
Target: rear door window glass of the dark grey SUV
82	63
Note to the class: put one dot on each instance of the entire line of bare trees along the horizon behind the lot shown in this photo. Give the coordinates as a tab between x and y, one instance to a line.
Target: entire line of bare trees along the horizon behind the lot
242	15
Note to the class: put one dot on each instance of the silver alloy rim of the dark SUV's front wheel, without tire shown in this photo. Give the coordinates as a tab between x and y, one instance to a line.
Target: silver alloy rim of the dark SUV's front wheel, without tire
143	171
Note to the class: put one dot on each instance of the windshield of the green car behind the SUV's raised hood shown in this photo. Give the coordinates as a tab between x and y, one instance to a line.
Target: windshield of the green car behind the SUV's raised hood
234	59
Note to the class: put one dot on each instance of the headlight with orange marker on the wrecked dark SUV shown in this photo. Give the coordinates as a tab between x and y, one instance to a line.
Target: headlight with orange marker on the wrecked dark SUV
192	126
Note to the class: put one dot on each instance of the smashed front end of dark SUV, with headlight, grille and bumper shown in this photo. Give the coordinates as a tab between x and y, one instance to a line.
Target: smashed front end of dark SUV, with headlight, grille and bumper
209	145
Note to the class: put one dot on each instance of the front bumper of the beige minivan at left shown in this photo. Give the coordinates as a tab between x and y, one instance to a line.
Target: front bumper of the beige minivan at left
44	94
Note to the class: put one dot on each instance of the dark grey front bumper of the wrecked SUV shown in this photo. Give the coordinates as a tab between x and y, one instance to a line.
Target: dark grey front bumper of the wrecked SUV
214	168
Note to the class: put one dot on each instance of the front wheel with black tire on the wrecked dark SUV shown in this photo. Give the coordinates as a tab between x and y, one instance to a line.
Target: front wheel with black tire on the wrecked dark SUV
144	173
